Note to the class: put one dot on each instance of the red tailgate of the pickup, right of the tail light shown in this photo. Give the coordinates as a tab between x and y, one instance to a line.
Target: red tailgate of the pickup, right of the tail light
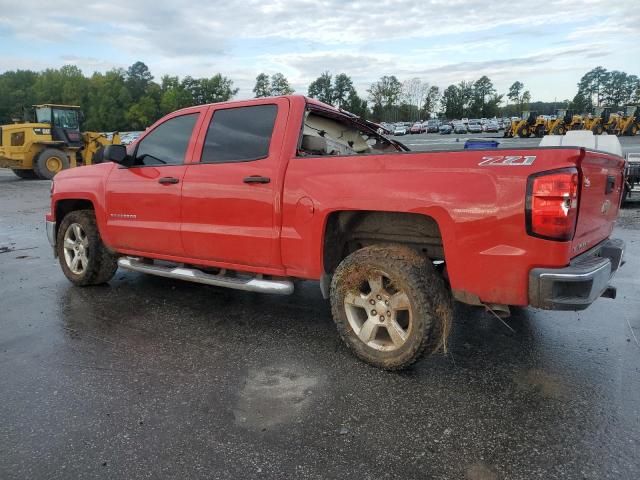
600	193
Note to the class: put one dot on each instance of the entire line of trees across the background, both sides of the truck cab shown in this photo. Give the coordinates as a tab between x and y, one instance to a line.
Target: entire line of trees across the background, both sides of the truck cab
130	99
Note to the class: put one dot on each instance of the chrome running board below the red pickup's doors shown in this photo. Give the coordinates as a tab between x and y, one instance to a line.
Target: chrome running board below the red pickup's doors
281	287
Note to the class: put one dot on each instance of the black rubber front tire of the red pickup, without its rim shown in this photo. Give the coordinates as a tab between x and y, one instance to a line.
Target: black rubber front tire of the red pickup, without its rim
102	264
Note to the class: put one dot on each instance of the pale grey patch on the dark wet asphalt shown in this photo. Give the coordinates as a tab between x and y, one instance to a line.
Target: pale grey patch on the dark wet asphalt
272	397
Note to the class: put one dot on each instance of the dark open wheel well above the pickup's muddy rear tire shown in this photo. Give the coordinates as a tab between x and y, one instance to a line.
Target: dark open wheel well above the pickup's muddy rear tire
348	231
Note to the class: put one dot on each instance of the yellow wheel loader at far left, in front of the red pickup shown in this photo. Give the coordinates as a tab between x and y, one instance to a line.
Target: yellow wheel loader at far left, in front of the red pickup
50	142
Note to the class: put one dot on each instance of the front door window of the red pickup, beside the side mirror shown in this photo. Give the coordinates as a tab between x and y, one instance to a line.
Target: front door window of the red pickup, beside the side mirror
166	144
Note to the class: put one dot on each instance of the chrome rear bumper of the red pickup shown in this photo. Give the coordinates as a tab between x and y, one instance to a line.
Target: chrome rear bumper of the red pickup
581	283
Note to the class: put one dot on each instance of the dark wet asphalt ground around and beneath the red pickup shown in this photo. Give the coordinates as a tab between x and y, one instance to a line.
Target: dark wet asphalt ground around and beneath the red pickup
153	378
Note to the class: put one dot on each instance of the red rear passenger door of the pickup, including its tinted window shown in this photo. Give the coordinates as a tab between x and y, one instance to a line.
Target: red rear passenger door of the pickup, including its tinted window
230	197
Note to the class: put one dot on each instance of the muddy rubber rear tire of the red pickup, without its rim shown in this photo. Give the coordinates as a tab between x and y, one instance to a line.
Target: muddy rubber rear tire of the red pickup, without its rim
428	295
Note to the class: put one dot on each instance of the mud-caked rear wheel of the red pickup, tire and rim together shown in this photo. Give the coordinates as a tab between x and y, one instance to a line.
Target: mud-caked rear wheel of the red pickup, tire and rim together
390	306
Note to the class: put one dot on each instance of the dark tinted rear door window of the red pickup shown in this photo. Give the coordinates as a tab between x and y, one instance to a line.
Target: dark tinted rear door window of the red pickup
239	134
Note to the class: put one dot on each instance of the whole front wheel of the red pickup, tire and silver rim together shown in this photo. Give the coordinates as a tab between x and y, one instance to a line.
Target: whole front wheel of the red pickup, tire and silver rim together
83	257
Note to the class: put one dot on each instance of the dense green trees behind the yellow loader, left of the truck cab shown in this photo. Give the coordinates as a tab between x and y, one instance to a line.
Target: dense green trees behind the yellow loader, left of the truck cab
116	100
